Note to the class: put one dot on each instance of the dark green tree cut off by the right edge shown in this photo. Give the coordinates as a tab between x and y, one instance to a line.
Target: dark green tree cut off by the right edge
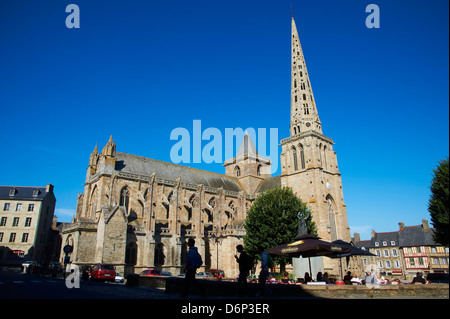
438	202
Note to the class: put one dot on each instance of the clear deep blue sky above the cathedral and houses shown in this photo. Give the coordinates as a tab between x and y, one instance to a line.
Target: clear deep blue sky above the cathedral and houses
138	69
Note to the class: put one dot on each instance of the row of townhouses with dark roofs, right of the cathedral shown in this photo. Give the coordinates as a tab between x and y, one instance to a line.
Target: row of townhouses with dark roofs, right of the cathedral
405	252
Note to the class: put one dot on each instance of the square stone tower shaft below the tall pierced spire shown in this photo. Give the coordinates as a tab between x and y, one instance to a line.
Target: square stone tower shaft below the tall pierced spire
314	177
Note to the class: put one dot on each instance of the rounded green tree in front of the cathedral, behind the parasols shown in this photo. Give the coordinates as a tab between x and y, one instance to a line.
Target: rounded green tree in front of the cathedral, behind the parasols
272	220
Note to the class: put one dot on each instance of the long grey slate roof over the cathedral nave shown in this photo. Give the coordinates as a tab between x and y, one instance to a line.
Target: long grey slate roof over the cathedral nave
134	164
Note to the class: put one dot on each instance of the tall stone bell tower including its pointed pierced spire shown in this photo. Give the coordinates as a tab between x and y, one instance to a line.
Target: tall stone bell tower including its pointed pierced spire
308	162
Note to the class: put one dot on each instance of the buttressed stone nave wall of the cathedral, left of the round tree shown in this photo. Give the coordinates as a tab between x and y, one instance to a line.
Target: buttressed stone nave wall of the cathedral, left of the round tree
156	217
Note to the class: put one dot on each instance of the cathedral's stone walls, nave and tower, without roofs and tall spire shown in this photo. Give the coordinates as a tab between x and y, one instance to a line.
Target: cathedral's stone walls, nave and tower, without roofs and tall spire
155	217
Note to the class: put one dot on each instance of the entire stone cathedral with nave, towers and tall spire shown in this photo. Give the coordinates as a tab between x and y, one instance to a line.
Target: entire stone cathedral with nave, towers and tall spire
137	213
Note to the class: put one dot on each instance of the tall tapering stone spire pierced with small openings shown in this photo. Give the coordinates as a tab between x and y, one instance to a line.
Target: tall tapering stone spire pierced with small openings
304	115
